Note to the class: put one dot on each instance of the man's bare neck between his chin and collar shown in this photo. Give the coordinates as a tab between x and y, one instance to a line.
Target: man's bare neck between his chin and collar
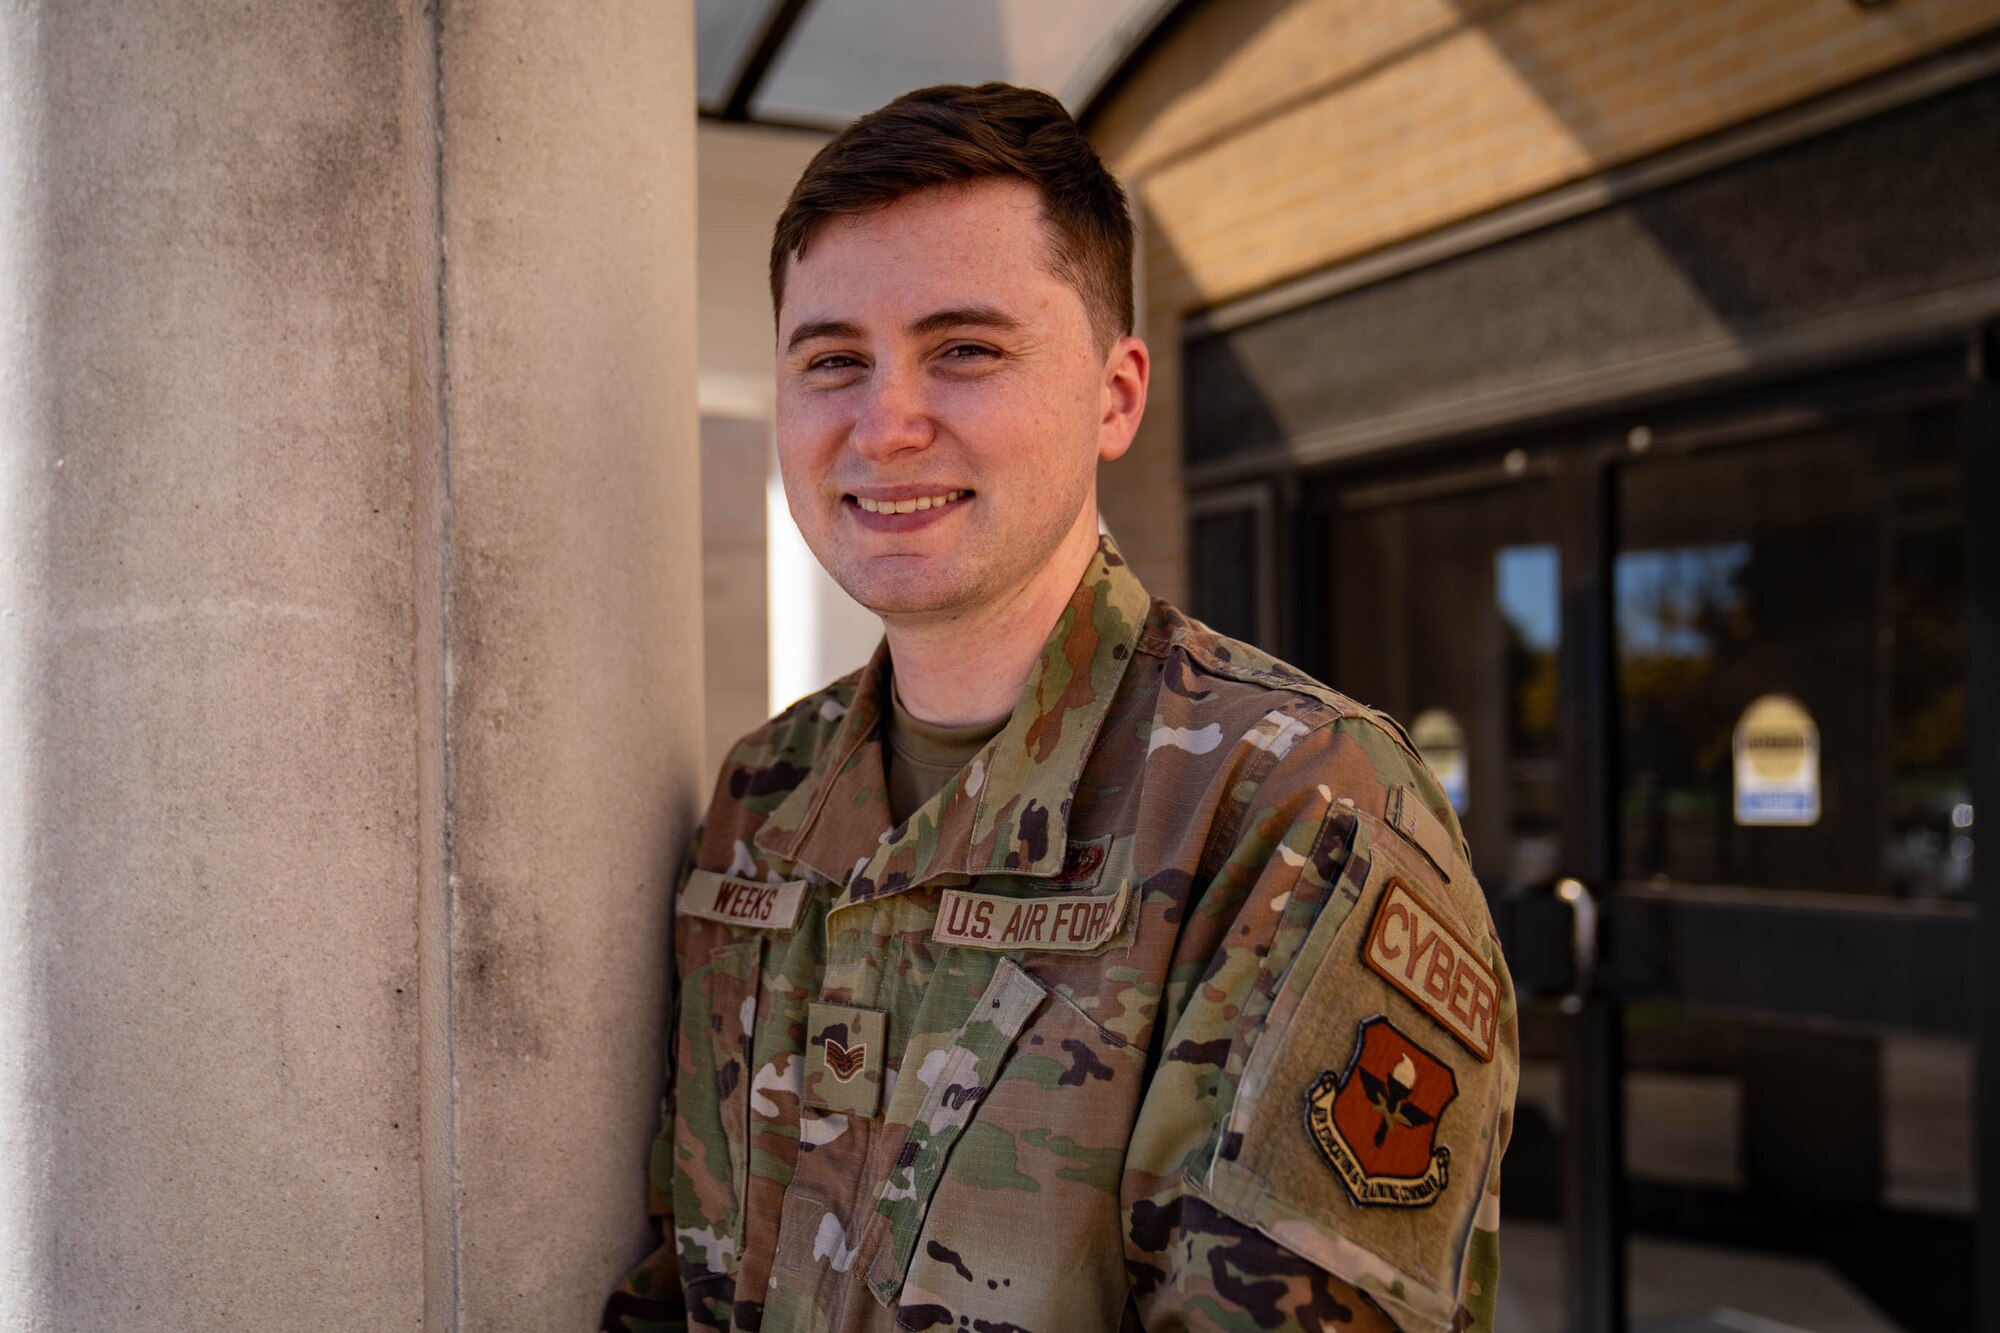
971	665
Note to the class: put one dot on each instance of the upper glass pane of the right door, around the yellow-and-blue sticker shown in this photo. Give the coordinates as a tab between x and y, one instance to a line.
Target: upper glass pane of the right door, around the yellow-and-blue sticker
1825	569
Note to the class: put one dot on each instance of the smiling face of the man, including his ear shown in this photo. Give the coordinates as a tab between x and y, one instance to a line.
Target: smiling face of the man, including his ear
943	405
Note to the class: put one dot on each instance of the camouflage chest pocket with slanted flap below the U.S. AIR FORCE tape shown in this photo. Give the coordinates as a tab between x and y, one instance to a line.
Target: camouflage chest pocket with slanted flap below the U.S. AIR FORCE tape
1003	1202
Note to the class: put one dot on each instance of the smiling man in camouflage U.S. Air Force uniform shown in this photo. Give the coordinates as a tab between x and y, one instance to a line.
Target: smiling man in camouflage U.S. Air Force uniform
1177	1006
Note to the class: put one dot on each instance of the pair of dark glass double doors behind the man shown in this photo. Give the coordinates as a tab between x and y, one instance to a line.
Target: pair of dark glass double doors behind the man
1709	678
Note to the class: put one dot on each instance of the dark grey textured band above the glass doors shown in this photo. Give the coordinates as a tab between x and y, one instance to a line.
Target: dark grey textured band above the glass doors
1725	265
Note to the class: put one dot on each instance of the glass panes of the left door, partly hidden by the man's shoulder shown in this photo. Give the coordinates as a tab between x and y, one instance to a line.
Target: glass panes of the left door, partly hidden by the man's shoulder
1447	613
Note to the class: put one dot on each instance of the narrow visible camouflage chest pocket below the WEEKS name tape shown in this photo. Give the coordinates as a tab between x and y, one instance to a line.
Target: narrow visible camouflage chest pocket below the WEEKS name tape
713	1110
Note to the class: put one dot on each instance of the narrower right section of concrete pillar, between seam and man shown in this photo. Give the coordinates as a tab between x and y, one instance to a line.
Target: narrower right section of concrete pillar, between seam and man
575	623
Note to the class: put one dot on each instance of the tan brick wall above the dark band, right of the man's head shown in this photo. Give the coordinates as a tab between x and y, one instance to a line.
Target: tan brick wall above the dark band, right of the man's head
1267	139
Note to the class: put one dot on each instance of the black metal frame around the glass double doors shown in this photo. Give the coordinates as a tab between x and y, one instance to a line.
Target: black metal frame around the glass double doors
1655	940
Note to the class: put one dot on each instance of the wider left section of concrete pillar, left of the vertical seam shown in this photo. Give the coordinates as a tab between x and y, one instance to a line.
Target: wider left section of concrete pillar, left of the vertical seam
209	577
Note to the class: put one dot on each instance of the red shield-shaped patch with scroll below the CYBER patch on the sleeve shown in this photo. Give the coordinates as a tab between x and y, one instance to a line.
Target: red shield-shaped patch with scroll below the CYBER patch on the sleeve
1377	1124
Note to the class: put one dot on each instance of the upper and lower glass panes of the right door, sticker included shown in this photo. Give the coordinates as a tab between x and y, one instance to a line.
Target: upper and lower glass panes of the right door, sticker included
1815	579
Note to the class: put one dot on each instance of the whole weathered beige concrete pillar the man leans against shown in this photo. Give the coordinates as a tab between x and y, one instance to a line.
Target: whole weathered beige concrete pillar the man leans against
349	655
